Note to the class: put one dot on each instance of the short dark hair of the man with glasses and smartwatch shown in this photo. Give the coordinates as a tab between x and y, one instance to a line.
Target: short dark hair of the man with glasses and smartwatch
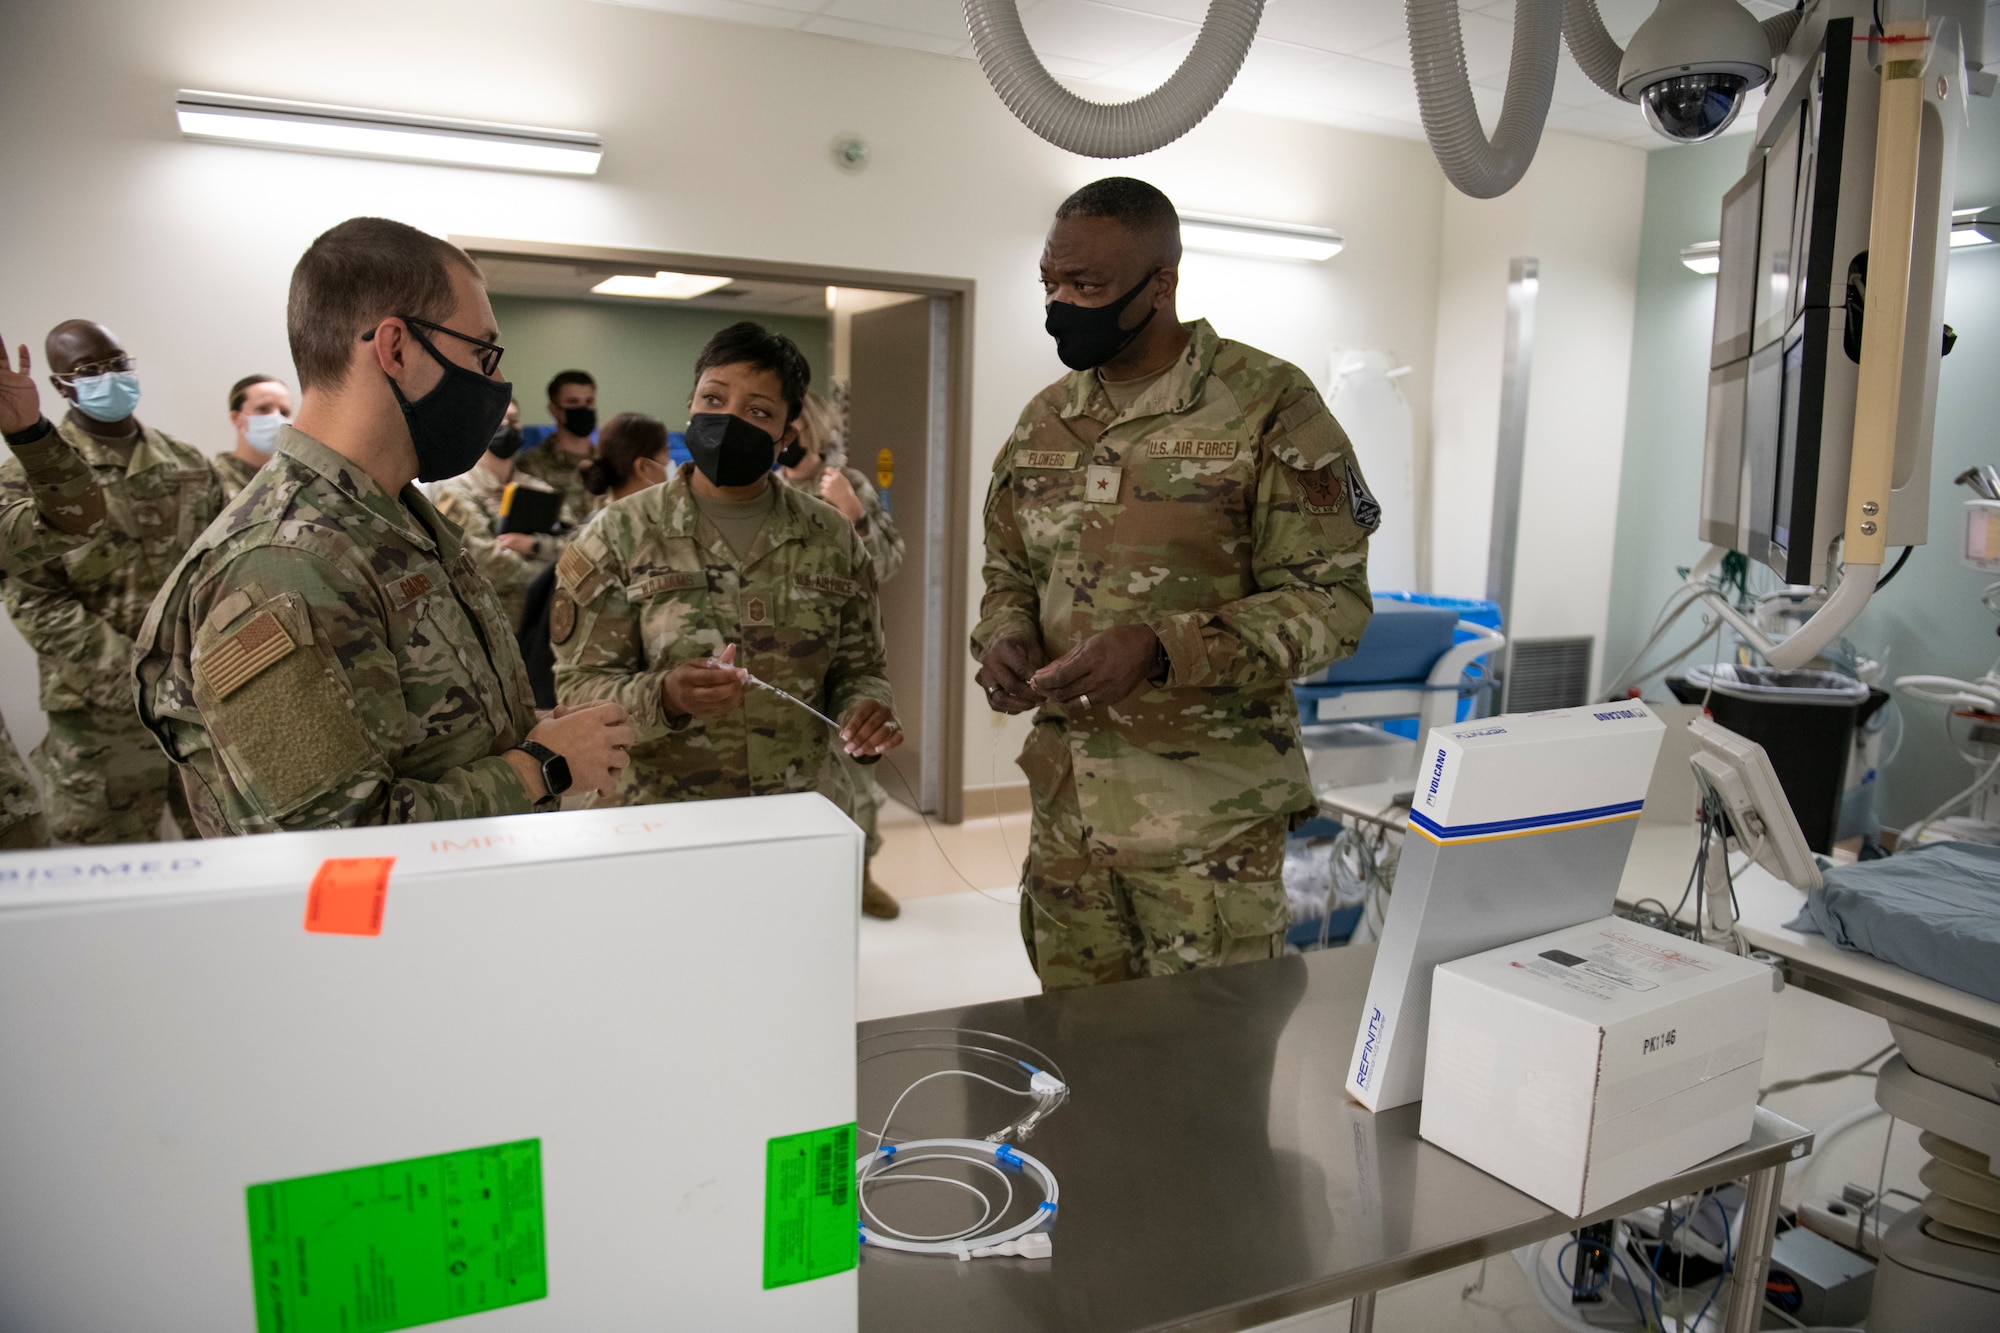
357	275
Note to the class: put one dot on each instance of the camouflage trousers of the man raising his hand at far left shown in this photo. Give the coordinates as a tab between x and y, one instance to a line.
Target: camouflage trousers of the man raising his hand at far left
107	780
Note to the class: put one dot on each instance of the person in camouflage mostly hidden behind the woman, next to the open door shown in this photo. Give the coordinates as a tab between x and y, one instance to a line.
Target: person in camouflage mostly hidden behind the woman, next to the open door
821	471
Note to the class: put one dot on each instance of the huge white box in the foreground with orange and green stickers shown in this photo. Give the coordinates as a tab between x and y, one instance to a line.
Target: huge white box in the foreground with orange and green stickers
651	996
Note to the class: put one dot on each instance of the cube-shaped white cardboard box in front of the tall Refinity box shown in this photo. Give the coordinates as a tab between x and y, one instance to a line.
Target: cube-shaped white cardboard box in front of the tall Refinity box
1593	1062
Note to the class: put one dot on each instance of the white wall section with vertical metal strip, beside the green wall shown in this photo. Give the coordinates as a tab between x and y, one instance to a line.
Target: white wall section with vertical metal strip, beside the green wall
1579	213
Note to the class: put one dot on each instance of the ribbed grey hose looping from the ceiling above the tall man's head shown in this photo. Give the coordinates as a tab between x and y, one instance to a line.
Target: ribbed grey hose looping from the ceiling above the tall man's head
1111	129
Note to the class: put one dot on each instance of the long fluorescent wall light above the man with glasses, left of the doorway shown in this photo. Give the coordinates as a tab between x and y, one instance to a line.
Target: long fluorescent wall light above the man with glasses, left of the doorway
351	131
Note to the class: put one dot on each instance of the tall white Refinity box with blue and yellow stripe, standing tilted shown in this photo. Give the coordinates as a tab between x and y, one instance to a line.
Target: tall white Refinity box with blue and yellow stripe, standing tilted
1521	826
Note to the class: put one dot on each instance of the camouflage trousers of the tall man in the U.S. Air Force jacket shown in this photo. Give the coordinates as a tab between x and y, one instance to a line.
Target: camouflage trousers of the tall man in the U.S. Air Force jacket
1087	924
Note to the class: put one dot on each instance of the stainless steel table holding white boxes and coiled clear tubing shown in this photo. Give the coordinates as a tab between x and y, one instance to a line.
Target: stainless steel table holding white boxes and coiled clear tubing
1215	1174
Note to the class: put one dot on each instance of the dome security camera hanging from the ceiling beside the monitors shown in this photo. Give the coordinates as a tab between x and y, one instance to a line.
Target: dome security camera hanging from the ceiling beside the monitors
1691	67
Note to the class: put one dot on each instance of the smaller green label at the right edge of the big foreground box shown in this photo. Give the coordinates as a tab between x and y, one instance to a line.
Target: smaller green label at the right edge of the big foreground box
811	1226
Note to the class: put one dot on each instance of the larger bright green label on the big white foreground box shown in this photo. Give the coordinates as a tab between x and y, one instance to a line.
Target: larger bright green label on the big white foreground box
403	1244
